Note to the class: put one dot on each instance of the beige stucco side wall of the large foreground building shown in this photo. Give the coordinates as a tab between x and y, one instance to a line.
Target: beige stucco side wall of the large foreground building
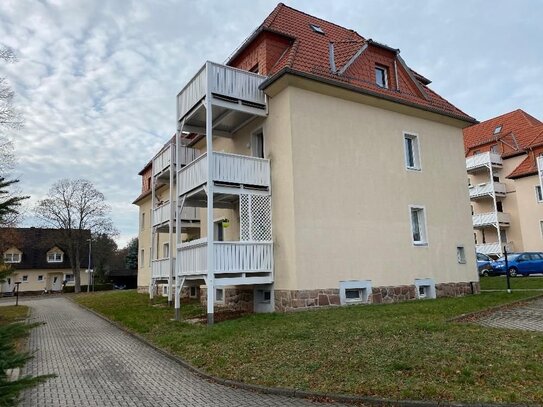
352	194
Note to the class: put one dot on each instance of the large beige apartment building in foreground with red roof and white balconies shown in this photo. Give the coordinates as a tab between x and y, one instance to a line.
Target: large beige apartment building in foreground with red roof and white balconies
339	173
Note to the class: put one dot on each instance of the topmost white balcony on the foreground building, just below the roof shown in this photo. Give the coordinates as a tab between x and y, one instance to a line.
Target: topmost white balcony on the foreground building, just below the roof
235	96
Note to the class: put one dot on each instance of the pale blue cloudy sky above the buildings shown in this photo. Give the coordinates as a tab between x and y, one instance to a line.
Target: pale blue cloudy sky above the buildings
96	79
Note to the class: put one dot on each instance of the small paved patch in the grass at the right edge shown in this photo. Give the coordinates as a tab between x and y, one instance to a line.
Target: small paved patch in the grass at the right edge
528	317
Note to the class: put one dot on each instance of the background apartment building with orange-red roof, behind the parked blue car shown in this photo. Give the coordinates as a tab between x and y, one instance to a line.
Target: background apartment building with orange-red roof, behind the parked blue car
504	185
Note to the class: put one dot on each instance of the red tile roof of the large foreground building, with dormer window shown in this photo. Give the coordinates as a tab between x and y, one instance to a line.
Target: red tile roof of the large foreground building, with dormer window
309	54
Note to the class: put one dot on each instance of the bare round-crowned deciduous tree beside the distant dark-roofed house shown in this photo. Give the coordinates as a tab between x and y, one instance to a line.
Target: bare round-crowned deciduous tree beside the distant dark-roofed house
77	208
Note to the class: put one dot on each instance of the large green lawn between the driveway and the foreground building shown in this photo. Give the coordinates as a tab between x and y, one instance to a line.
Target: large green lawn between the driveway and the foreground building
398	351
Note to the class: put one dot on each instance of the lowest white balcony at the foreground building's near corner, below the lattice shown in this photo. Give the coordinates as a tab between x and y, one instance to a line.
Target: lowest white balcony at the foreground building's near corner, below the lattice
235	262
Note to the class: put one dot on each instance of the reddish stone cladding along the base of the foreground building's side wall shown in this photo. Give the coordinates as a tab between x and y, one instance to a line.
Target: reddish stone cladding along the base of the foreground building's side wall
288	300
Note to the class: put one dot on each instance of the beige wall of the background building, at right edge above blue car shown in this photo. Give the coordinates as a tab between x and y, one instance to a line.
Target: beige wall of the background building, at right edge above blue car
530	213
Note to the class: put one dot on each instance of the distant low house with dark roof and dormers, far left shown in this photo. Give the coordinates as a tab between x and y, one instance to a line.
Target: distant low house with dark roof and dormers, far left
40	260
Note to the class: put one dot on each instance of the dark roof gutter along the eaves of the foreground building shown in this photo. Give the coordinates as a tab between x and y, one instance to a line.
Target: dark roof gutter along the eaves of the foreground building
352	88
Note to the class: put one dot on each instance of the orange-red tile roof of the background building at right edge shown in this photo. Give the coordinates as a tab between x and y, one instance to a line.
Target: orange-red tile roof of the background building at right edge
520	133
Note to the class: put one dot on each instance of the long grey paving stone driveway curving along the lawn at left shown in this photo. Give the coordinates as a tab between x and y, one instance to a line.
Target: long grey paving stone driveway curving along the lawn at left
99	365
